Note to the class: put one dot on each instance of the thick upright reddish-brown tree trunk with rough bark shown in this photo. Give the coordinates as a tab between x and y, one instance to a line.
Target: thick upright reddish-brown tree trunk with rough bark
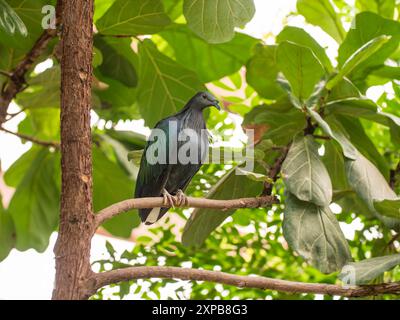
72	250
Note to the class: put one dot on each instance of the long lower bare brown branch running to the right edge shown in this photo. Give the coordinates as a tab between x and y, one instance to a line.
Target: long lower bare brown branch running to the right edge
263	283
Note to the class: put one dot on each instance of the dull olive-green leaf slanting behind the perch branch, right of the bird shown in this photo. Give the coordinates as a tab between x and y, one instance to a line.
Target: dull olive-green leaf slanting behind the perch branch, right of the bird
203	221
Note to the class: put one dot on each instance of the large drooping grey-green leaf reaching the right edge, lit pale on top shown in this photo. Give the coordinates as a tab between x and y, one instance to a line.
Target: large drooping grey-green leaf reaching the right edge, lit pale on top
370	185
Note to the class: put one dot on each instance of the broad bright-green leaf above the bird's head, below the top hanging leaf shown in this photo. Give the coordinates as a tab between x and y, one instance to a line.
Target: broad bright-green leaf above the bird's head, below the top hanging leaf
209	61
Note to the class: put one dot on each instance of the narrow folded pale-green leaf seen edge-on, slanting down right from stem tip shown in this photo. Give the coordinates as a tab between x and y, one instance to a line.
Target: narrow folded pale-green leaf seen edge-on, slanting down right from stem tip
333	130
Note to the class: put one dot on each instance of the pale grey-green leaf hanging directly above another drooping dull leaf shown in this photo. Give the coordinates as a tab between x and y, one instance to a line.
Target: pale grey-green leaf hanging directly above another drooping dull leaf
304	174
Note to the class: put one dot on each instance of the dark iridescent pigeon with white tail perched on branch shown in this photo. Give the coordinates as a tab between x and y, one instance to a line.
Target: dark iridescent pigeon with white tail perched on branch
164	170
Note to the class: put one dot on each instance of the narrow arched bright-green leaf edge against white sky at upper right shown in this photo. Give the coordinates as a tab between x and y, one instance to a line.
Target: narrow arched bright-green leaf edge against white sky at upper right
300	37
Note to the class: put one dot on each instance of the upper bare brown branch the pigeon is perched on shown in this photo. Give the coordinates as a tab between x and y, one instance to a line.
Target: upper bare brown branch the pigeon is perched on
155	202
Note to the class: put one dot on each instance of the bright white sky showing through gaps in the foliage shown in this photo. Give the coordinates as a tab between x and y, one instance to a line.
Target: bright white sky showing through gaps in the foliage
29	275
